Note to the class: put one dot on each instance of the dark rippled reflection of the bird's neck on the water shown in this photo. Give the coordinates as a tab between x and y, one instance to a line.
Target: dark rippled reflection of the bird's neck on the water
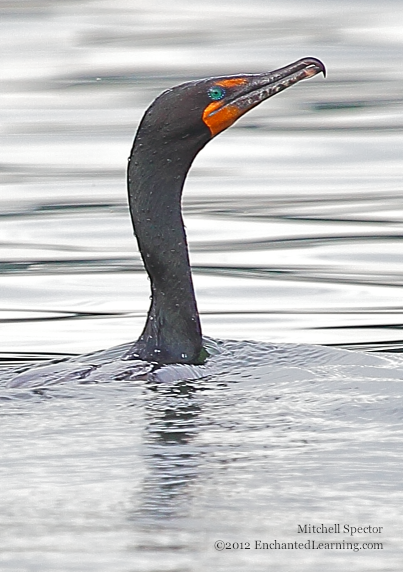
171	457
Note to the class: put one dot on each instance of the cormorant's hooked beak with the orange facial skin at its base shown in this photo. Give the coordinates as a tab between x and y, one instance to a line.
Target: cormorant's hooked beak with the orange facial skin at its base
247	91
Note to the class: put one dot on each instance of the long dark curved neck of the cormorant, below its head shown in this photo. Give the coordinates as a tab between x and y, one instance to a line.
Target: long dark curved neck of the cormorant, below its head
156	175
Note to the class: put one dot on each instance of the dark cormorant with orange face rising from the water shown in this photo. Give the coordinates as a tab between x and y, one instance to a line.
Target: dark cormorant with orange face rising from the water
176	126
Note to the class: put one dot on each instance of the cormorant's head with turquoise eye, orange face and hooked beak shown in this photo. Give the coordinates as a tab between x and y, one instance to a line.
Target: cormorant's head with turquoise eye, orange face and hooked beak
194	112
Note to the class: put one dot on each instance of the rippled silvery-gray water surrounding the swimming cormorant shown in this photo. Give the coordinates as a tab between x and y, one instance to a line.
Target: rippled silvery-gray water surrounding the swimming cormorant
294	218
